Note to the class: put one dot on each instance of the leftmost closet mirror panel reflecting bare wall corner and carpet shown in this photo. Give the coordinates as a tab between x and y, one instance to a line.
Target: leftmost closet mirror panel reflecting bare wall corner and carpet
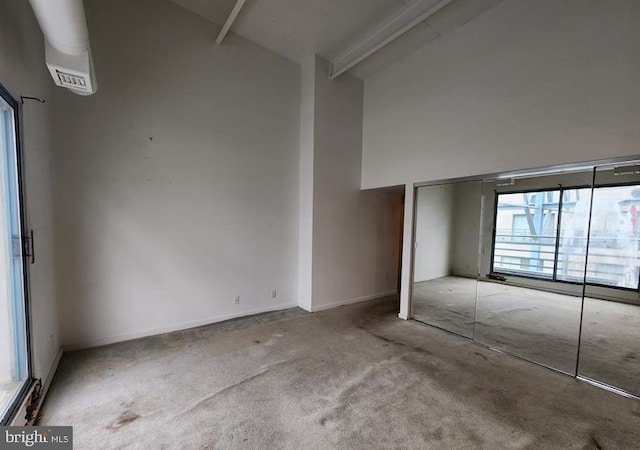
445	265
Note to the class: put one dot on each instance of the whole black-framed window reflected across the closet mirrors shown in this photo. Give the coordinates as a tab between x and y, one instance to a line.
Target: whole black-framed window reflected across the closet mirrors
543	234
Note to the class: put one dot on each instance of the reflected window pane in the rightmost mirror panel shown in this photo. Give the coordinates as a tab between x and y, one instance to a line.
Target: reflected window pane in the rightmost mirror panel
613	245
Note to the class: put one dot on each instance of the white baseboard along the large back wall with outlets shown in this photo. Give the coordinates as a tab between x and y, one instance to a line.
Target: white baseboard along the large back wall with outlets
170	328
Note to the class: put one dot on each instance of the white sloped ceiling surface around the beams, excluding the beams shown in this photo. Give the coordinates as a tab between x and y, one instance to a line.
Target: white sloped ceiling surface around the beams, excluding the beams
295	28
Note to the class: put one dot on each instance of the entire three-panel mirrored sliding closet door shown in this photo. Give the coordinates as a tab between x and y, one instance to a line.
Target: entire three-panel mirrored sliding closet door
545	267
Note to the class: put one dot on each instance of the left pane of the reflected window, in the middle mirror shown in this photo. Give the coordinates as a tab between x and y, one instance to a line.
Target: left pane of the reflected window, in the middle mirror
525	240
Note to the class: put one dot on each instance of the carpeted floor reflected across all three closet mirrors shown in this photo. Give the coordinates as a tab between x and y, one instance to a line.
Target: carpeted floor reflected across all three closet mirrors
540	326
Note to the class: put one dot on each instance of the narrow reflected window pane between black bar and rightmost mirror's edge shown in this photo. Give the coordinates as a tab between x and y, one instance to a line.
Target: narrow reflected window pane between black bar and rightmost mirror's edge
574	226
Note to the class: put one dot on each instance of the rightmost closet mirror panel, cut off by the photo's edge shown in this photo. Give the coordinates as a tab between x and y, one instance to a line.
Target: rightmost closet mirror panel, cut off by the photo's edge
610	339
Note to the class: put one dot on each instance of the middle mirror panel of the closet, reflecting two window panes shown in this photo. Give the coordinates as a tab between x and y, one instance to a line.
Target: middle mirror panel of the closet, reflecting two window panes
534	238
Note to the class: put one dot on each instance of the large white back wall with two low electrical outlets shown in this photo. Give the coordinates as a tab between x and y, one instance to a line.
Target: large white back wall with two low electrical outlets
177	183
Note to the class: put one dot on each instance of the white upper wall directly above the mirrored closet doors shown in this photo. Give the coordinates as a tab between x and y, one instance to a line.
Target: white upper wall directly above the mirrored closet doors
526	84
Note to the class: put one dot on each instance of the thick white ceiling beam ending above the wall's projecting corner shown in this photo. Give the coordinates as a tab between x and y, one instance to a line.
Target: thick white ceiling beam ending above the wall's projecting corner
392	28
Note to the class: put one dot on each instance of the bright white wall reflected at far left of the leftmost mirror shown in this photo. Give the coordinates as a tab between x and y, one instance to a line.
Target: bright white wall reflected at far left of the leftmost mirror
433	232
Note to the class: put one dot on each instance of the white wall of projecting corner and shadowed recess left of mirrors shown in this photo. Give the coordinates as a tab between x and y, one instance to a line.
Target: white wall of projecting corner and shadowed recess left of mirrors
356	234
